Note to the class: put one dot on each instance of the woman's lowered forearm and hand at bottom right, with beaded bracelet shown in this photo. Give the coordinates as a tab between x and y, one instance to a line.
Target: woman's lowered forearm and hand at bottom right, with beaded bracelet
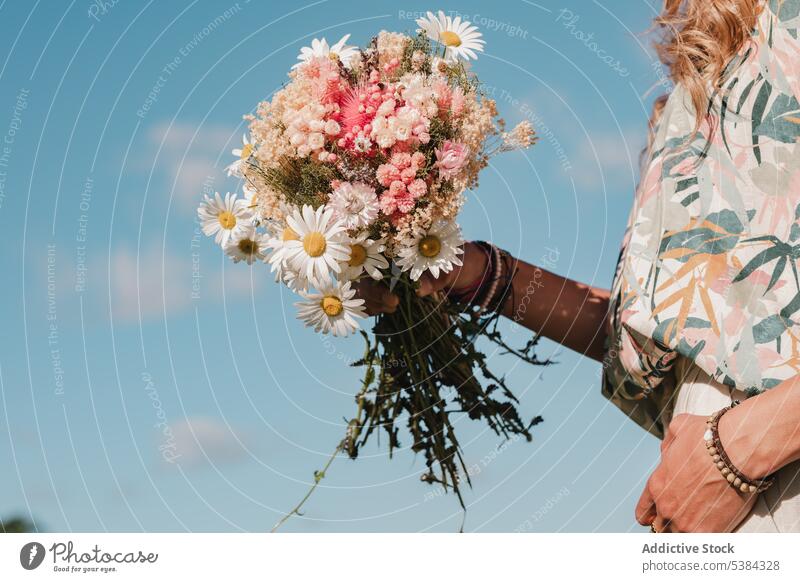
687	493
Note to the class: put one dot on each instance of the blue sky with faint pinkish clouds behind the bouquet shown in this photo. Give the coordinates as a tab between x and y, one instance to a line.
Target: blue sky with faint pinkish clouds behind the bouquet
119	320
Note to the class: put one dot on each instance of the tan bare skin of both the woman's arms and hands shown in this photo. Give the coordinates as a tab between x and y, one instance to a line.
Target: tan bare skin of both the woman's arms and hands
686	492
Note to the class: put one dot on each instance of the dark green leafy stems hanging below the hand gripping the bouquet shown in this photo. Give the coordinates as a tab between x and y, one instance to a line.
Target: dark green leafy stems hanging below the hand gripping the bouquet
422	367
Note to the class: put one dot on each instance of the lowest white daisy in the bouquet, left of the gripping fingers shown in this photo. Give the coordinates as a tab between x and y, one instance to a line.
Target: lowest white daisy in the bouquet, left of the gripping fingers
332	310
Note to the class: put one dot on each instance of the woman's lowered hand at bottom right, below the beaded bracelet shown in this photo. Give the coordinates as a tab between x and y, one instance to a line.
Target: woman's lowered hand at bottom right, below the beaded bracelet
687	492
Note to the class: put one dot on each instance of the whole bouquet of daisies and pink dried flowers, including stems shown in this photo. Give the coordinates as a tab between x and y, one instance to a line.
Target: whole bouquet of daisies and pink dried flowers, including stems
356	169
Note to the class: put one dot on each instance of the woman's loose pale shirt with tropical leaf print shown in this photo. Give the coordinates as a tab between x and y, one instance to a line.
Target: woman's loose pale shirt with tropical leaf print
709	262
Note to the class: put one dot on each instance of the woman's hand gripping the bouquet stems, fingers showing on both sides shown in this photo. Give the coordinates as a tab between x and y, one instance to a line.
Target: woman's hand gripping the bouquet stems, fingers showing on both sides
379	299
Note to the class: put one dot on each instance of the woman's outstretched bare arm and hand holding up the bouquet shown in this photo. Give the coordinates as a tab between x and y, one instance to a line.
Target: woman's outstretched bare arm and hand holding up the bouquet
571	313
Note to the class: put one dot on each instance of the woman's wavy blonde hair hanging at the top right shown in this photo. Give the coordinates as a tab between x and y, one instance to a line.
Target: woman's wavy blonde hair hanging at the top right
696	40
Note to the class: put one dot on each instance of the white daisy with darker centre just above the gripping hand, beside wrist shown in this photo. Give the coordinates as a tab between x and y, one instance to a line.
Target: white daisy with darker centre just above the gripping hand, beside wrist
434	250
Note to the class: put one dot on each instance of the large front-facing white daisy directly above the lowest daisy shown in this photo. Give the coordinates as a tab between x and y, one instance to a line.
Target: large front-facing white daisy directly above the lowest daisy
320	246
